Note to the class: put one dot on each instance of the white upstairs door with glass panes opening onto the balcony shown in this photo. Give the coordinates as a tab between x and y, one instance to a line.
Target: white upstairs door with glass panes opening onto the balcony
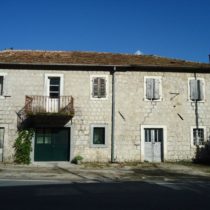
53	94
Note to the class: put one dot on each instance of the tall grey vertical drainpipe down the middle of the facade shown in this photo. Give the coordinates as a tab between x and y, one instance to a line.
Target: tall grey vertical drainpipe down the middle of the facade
113	116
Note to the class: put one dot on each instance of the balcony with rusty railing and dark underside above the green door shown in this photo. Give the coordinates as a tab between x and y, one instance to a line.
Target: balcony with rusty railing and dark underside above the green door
46	110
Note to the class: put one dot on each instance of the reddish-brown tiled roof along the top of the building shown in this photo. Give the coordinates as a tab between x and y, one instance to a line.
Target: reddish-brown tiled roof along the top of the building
90	58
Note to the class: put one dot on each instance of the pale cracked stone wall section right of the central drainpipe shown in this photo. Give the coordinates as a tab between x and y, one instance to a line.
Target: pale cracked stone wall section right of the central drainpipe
175	111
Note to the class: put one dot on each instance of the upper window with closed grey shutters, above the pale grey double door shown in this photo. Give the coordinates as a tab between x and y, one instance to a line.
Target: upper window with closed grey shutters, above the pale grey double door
152	88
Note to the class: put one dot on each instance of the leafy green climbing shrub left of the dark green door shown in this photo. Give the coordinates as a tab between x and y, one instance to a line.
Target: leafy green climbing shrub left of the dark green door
22	147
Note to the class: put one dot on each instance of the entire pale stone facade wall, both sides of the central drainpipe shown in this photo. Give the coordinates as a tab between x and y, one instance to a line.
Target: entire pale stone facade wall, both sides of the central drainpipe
175	111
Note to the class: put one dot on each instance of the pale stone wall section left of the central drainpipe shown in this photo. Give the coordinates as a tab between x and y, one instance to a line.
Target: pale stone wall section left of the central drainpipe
19	83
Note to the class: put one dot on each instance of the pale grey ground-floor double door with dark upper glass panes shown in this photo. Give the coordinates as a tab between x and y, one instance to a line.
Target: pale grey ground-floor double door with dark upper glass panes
153	144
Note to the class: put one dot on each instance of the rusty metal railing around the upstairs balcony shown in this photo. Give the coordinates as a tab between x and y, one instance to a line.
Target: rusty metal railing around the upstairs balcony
35	105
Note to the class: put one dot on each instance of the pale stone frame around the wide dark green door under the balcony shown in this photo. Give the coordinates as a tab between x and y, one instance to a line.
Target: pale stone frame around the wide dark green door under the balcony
70	145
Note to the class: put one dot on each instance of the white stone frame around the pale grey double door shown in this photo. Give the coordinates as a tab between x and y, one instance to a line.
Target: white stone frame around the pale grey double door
164	146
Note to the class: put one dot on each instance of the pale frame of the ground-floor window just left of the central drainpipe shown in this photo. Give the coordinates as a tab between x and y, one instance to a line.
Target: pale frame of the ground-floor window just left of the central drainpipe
99	125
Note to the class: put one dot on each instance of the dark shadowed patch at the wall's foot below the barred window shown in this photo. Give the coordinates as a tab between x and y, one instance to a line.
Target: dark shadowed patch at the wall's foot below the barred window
203	154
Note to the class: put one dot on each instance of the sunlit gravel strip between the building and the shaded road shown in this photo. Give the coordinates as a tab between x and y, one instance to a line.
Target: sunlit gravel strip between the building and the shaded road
99	172
